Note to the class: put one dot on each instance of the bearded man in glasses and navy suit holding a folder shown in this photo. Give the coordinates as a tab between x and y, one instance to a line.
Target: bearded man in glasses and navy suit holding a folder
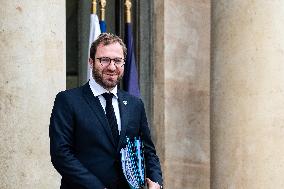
89	125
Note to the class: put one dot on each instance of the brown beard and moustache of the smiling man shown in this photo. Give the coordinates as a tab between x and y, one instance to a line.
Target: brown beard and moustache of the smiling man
106	83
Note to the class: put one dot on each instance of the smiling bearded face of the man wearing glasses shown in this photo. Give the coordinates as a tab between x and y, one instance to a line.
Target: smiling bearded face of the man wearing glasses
108	75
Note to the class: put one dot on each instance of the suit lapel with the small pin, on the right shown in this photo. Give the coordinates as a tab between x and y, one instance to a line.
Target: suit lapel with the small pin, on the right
122	102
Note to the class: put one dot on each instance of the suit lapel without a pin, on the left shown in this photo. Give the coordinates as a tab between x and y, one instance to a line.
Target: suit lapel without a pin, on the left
97	109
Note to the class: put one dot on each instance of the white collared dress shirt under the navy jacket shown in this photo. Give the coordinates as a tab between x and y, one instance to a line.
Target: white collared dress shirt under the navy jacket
98	91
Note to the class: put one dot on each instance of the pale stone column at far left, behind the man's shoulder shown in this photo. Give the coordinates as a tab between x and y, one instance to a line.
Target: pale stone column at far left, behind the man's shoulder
32	66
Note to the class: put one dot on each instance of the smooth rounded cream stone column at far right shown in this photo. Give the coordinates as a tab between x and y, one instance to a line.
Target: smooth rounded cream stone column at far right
247	132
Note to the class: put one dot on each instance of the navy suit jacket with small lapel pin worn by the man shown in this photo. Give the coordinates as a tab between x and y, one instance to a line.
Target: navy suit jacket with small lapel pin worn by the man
81	144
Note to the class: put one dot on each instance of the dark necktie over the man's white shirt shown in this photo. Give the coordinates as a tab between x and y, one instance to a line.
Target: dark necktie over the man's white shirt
111	116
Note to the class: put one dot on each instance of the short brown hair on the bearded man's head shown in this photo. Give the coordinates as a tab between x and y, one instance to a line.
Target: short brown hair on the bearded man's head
106	39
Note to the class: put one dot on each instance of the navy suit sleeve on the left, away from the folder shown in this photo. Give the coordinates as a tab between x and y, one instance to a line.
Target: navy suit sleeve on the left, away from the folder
61	130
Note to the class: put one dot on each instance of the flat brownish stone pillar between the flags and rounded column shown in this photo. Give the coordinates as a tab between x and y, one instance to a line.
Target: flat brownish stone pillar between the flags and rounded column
181	91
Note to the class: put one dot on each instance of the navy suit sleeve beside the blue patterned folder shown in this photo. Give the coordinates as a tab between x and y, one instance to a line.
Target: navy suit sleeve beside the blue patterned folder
153	167
